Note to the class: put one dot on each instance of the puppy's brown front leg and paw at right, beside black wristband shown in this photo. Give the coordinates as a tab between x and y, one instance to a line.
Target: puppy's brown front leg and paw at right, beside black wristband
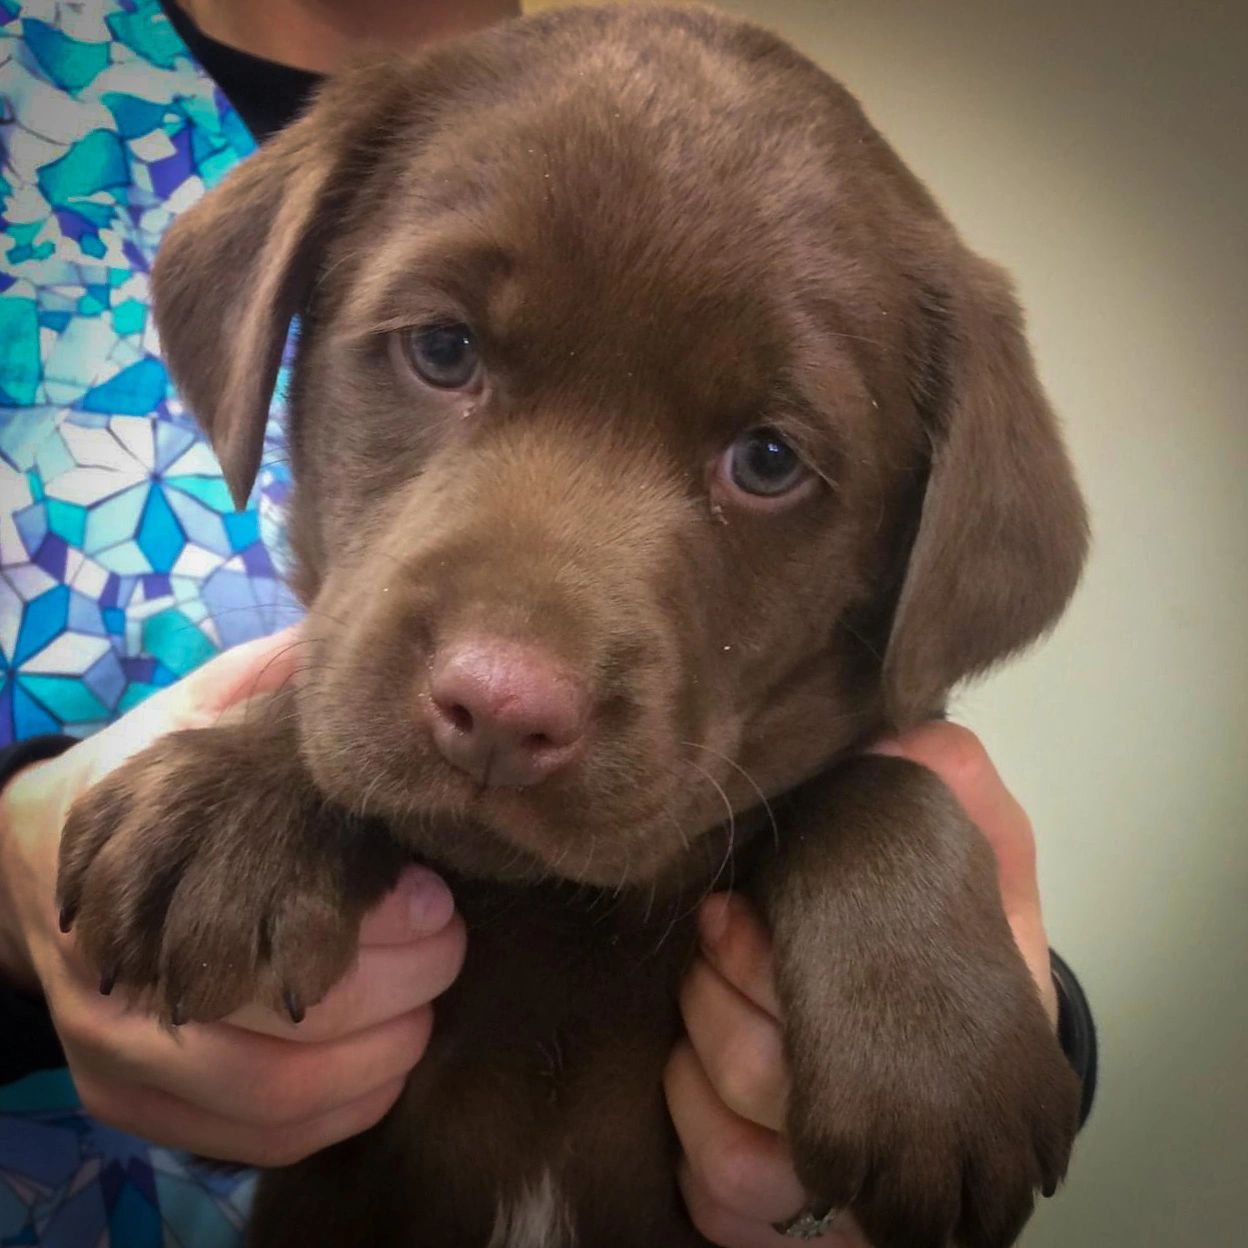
929	1093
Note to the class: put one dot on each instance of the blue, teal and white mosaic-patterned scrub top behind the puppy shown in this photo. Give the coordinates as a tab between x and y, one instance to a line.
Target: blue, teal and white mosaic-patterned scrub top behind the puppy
123	563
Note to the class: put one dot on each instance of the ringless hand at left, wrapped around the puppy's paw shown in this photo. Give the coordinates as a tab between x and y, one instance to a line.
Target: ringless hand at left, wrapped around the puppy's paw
254	1088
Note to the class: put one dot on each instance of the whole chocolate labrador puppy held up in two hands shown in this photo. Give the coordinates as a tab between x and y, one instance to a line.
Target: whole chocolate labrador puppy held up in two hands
657	445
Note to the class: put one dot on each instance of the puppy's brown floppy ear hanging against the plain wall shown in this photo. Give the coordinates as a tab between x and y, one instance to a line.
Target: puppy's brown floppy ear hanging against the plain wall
1003	532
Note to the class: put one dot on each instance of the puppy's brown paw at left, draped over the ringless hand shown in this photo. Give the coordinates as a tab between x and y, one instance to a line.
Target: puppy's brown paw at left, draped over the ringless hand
207	873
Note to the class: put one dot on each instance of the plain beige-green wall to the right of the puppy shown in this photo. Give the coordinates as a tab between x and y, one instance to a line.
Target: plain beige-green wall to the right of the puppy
1100	152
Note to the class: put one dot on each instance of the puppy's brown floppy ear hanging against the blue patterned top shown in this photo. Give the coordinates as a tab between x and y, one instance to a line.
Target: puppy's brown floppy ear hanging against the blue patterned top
236	268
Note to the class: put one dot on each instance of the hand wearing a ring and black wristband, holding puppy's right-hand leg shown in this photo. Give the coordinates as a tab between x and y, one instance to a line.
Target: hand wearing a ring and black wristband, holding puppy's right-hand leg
727	1084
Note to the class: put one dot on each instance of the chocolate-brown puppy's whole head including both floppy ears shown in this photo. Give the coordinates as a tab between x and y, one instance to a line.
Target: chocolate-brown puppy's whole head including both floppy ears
655	436
